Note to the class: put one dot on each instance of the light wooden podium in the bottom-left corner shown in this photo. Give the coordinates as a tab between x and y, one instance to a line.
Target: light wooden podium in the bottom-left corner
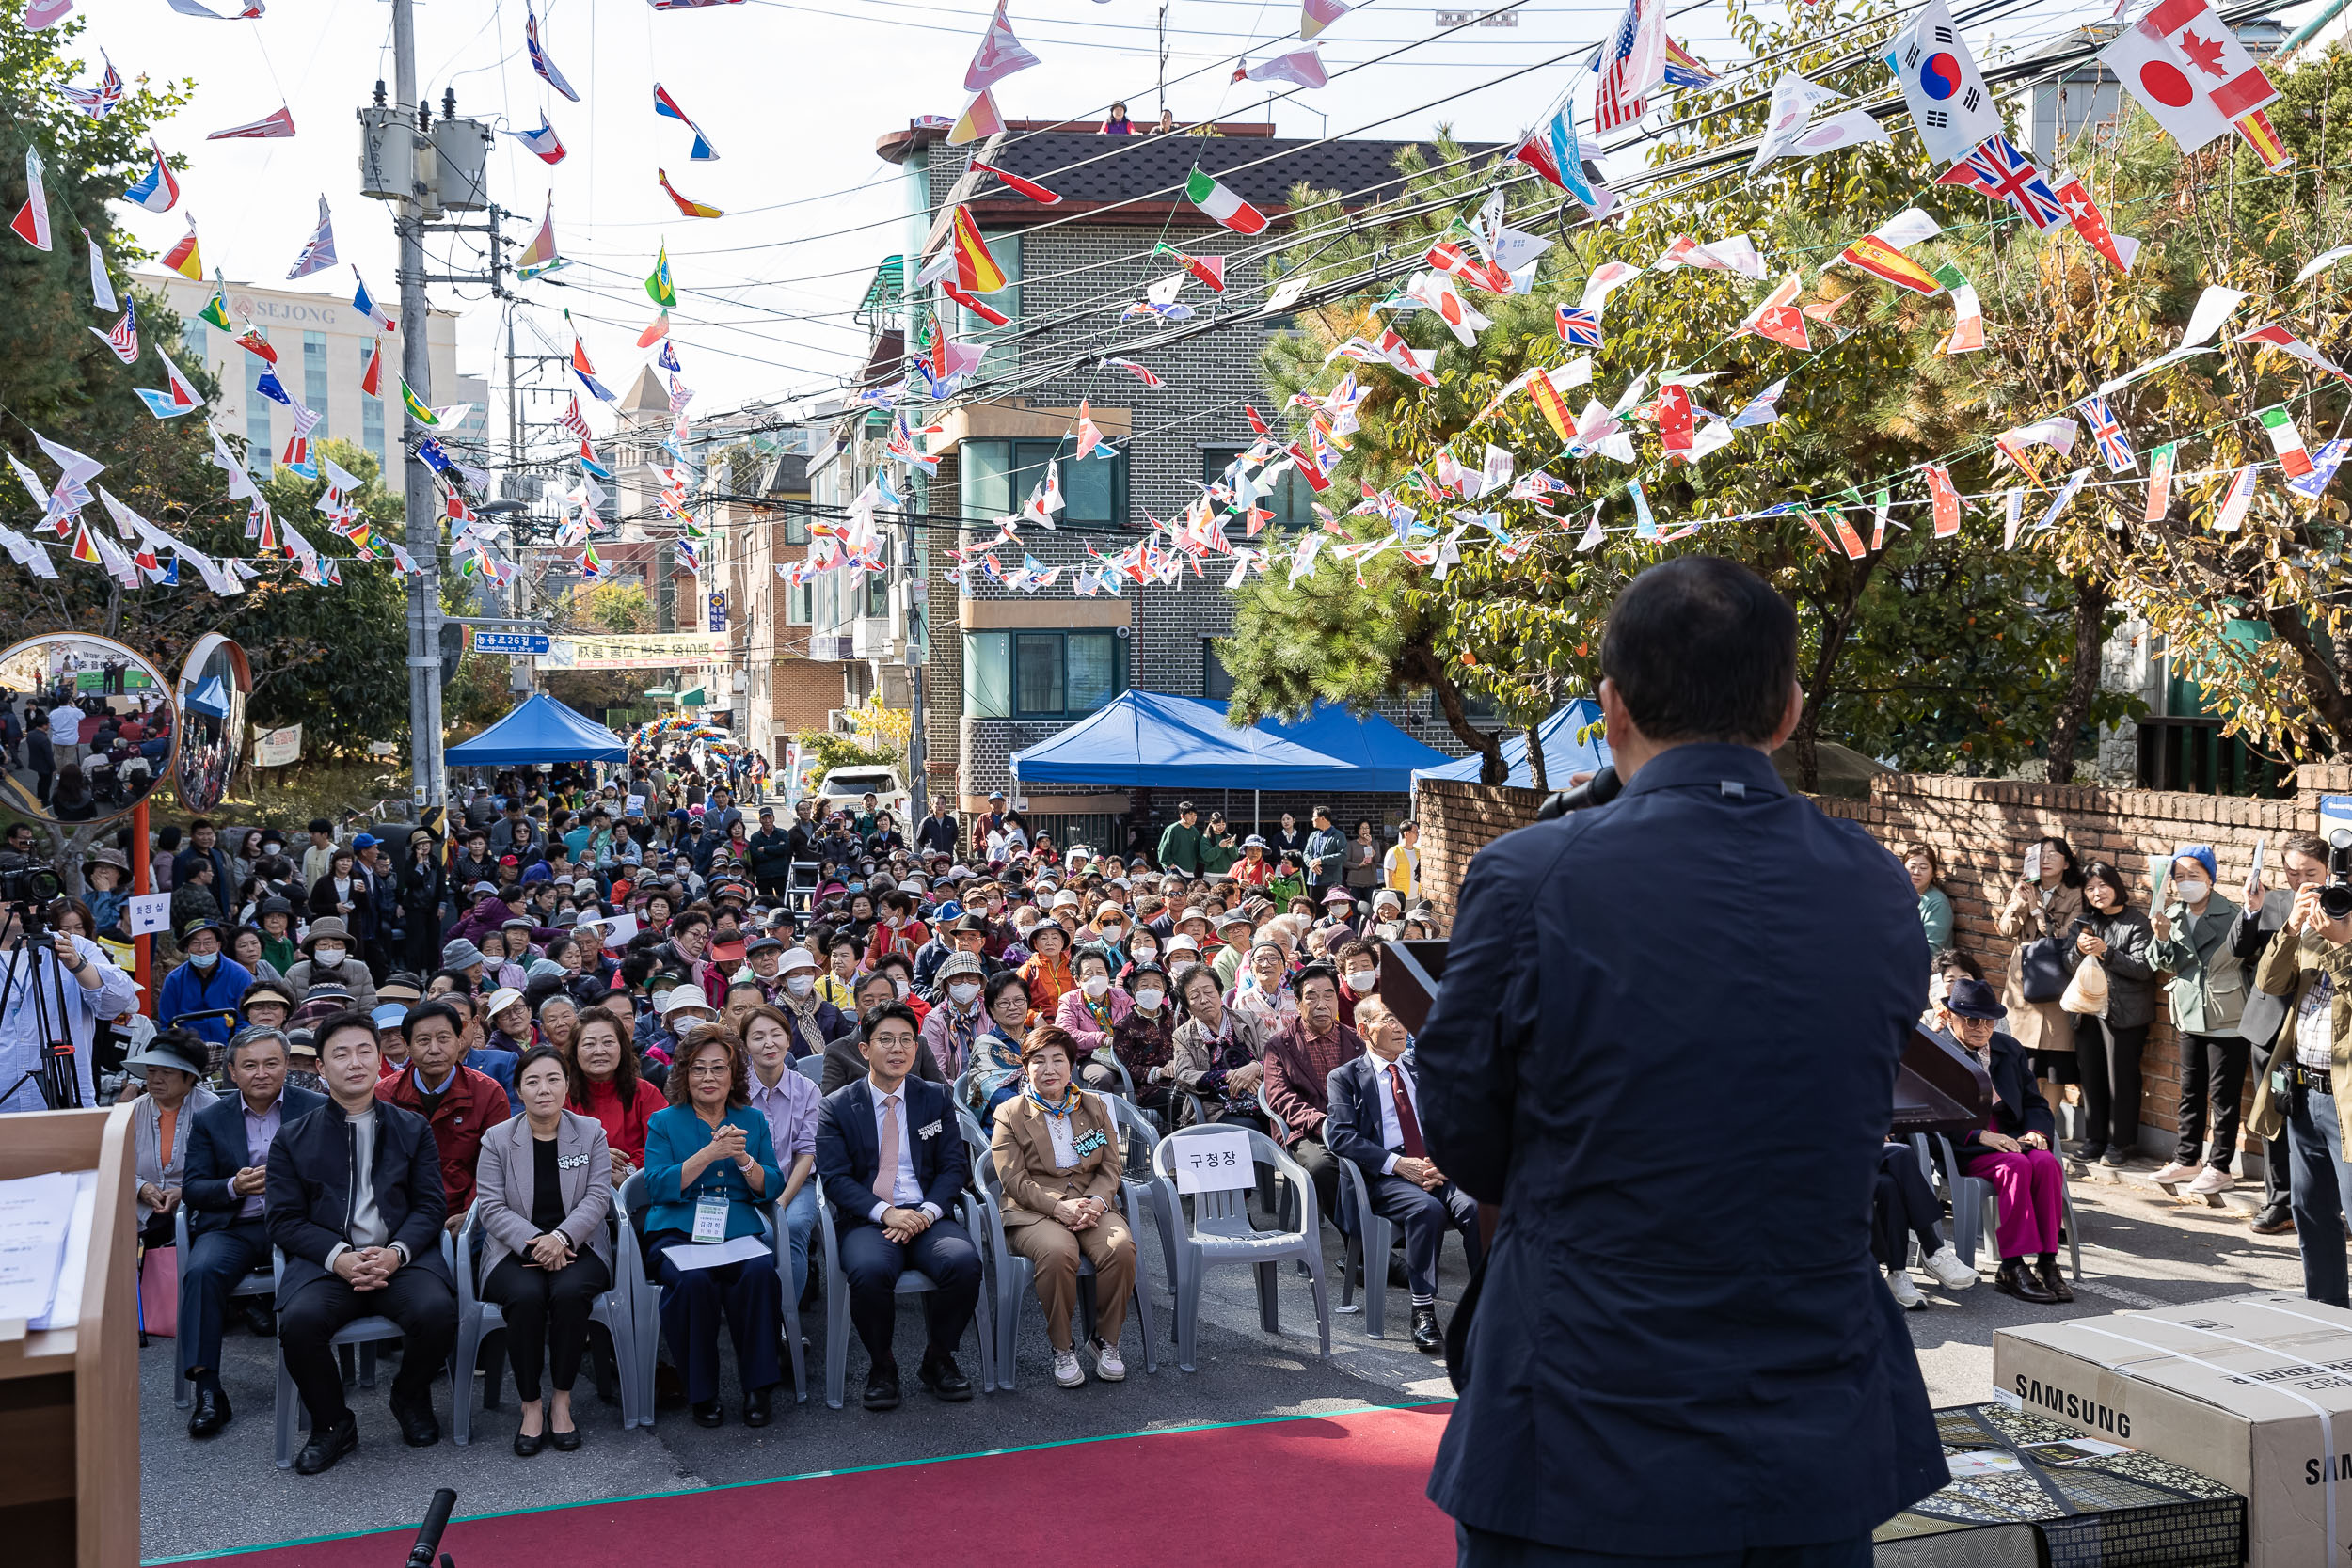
69	1398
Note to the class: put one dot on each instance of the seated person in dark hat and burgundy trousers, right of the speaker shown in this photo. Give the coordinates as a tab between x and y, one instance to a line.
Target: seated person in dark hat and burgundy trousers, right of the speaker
2012	1151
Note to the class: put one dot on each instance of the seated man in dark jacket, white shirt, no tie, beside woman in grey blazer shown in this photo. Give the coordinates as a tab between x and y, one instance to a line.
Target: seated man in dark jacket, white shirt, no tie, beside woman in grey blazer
356	1202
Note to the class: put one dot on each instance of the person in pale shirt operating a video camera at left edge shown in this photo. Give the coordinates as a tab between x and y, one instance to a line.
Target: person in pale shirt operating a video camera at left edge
55	989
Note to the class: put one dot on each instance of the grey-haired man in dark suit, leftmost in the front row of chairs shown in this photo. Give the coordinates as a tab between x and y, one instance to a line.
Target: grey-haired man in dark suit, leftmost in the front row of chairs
229	1148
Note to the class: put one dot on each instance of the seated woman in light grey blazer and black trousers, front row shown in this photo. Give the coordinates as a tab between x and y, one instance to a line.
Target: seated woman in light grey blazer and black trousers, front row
542	1195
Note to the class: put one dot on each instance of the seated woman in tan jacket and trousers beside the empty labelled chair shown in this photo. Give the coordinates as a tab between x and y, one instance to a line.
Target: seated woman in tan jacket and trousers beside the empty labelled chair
1057	1153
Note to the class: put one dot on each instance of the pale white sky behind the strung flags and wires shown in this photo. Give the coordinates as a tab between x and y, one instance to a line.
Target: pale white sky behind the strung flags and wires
794	98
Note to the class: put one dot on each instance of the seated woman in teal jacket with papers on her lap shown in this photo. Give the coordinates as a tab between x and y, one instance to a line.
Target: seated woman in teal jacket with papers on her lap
709	1146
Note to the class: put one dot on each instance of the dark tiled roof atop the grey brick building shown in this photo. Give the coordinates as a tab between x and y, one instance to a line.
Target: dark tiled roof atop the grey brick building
1151	166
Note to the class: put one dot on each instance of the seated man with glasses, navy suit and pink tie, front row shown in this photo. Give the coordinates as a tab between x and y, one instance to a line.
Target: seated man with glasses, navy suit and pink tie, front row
893	1162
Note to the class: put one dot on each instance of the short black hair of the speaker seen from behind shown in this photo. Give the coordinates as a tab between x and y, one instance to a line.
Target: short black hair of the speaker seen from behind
1702	650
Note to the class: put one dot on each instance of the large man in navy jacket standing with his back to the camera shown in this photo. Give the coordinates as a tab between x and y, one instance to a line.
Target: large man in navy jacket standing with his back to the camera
1681	1360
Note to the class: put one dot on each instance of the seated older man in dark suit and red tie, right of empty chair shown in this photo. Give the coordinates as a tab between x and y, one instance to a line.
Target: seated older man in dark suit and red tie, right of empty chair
1375	1120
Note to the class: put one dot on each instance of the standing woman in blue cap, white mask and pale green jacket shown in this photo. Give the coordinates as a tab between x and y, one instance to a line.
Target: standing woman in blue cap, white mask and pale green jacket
2207	996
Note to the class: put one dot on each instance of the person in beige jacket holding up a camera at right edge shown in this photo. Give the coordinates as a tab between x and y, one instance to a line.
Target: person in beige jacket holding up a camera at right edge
2311	967
